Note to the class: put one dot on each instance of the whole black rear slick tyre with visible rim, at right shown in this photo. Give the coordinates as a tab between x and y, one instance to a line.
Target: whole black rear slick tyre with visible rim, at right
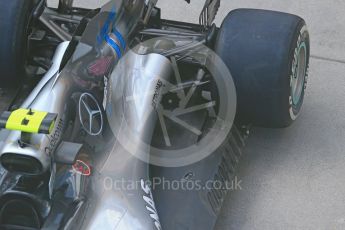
267	53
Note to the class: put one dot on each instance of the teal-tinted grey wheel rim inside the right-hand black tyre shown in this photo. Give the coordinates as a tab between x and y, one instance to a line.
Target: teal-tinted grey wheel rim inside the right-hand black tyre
298	78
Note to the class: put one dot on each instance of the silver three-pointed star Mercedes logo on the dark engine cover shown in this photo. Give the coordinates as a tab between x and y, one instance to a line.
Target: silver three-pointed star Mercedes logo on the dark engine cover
90	114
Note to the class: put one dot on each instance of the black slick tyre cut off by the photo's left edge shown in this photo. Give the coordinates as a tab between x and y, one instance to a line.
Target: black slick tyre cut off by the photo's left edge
14	20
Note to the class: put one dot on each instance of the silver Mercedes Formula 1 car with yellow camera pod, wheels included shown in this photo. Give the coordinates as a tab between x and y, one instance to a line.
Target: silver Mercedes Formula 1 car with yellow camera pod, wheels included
118	119
